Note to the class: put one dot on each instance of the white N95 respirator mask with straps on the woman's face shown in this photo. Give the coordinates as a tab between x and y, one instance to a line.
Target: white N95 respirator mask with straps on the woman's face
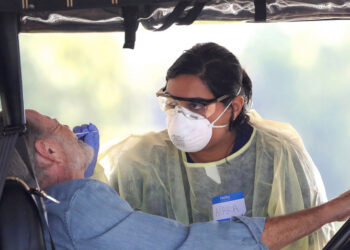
189	131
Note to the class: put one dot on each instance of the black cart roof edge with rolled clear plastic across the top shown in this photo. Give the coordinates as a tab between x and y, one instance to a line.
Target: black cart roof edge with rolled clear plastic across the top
109	15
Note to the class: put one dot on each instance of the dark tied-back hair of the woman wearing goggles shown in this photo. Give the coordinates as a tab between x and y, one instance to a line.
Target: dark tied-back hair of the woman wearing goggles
220	70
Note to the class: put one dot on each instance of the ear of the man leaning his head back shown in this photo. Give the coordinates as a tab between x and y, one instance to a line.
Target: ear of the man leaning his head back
48	150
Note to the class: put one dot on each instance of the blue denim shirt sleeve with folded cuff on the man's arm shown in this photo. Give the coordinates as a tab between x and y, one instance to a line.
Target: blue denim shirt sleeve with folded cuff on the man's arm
99	219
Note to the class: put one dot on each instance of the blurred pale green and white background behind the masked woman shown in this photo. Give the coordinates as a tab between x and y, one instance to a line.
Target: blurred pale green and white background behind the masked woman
300	73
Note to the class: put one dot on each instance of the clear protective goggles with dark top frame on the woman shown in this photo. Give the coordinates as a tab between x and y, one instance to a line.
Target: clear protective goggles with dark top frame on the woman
200	108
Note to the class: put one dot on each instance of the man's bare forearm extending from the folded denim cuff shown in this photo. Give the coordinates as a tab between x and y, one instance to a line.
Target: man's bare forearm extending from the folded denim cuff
283	230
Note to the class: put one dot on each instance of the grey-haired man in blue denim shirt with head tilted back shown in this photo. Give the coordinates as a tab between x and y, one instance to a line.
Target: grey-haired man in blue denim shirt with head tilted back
91	215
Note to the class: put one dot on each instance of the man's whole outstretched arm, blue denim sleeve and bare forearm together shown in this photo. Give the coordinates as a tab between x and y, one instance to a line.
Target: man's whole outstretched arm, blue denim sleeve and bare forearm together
92	216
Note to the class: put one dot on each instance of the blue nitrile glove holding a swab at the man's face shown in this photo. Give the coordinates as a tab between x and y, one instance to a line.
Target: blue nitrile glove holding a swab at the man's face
89	134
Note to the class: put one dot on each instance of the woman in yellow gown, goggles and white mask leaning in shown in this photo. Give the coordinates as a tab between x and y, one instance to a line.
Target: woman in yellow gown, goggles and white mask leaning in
217	158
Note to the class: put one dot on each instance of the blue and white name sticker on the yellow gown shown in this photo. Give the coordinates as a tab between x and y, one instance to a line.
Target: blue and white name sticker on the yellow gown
228	205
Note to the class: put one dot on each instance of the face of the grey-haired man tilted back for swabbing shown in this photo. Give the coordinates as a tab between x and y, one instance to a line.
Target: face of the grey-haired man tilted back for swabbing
78	154
